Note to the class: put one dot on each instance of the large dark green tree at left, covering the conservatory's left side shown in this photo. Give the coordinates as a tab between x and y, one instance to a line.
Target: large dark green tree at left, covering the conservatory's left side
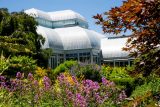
18	36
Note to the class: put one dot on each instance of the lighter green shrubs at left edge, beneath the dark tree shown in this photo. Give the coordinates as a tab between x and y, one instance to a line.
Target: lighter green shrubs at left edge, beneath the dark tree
11	65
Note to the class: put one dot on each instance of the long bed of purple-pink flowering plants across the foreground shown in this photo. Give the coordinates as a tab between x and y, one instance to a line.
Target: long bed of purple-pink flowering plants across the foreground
67	91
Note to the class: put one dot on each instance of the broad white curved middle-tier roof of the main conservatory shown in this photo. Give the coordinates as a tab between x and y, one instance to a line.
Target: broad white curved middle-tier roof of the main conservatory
70	38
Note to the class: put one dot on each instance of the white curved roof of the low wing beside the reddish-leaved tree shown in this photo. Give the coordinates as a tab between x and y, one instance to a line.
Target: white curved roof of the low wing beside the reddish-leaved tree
112	48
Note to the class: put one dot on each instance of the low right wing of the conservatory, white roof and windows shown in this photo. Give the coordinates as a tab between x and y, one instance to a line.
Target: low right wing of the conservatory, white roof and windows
112	52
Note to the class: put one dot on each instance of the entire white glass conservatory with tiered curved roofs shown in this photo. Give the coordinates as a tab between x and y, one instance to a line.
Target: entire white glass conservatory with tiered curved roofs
67	34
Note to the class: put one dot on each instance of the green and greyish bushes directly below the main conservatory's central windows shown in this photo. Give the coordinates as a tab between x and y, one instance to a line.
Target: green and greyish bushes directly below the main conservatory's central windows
81	70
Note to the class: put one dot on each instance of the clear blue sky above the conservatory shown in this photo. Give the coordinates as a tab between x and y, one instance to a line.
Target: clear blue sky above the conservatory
86	8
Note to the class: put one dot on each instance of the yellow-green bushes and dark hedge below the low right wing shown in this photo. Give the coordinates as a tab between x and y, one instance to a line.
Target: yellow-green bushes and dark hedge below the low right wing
121	78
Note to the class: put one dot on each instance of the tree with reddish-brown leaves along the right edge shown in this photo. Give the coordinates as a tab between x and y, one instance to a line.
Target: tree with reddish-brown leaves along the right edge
142	18
